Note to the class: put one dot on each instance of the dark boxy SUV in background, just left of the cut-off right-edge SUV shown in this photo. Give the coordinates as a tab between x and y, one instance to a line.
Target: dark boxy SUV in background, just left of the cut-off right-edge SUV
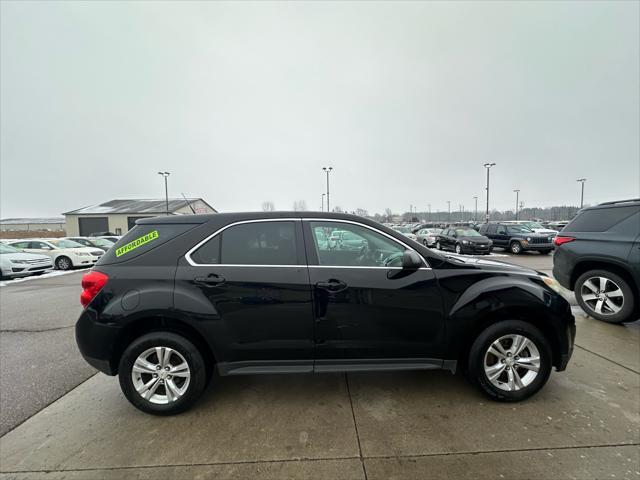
517	238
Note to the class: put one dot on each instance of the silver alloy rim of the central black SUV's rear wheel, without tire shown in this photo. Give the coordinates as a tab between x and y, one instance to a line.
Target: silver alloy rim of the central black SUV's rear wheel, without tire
161	375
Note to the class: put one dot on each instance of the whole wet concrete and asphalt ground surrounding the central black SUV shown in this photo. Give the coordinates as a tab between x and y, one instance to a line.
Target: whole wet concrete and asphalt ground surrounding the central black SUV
584	424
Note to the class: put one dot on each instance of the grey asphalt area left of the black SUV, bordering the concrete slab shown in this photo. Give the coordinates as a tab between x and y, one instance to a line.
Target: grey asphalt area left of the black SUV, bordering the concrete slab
39	359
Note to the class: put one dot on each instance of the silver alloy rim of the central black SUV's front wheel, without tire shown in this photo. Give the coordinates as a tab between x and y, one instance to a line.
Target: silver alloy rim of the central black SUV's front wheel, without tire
512	362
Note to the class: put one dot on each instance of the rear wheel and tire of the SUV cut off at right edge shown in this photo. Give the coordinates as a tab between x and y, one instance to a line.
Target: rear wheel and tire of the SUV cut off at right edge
623	301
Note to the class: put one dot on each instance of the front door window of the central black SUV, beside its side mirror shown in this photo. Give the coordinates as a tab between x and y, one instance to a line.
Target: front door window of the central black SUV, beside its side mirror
346	245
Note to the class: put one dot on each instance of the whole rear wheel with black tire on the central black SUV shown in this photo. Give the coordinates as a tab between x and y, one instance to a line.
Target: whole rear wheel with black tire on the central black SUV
163	401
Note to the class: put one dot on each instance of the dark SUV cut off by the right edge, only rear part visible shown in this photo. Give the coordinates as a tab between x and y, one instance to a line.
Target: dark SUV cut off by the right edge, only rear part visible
598	256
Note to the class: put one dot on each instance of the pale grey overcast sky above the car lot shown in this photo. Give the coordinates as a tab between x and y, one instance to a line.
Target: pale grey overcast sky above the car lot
246	102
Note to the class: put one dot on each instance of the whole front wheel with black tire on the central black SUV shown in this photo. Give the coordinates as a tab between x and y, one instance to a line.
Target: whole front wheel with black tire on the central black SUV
531	381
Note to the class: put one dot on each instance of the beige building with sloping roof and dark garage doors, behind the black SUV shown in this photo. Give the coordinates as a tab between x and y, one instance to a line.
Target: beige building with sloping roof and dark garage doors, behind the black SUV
119	216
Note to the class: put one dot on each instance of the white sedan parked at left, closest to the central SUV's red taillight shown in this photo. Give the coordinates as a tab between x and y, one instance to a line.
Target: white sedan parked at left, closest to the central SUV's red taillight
65	254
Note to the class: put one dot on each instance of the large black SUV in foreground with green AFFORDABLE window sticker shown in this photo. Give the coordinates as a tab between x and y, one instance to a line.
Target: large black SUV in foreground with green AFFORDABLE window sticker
181	296
